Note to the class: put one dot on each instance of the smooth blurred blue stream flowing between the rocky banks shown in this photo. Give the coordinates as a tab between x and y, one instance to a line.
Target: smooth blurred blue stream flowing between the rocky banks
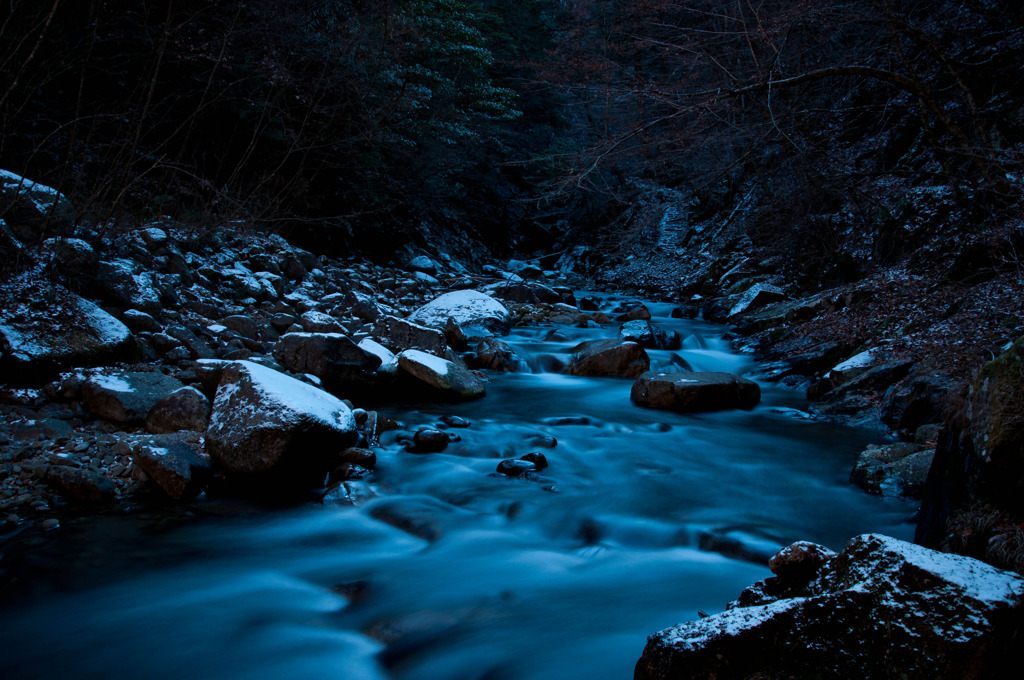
644	519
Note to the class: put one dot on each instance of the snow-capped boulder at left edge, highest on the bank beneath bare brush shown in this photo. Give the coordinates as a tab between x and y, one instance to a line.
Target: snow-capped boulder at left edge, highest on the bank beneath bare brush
31	207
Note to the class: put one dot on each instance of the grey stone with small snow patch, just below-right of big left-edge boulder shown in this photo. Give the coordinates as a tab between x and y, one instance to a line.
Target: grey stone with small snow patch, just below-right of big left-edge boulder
126	397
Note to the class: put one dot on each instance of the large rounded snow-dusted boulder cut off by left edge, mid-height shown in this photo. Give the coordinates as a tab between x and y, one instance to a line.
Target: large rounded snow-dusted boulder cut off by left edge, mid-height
47	329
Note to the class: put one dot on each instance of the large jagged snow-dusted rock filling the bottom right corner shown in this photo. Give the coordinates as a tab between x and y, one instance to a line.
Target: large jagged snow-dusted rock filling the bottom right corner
882	609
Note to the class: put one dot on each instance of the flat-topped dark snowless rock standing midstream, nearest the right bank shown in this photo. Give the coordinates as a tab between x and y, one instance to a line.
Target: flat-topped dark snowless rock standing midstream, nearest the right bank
694	393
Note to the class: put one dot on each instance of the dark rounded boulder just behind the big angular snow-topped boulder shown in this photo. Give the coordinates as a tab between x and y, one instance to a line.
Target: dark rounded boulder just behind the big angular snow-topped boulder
340	364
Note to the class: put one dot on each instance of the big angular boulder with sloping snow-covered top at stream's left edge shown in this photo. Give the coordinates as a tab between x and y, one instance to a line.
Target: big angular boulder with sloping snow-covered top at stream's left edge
268	424
